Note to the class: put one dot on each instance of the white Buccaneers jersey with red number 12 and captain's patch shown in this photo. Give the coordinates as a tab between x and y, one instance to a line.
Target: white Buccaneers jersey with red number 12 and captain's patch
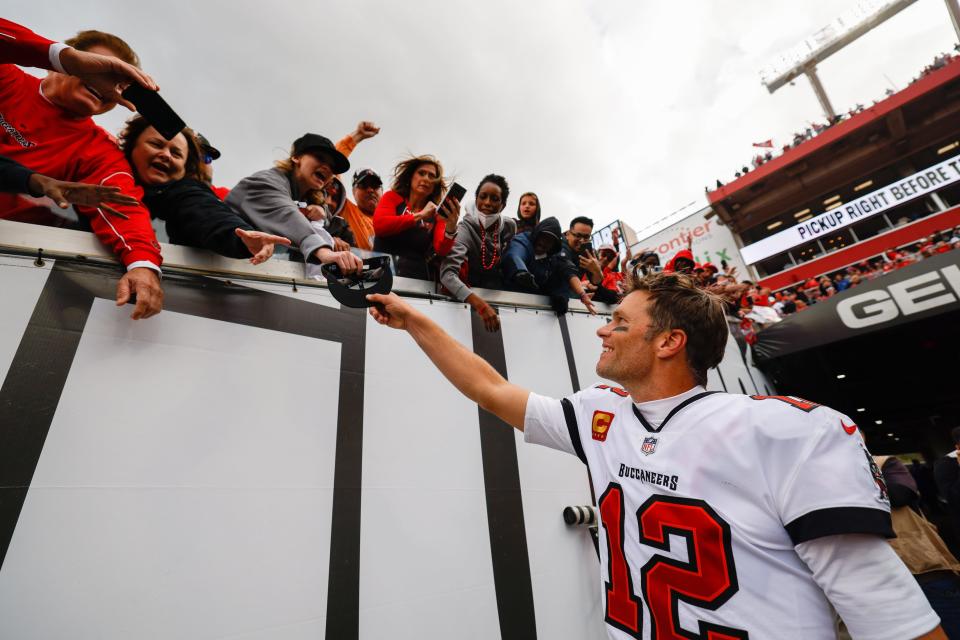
702	498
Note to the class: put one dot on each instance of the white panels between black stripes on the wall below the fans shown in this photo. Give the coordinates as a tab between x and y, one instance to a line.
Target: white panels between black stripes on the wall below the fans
185	486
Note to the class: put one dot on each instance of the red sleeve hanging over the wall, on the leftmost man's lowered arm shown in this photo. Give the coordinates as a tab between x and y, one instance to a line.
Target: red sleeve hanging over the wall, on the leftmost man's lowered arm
132	239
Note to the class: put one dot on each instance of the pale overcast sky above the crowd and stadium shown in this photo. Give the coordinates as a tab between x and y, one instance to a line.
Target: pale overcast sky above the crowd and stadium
607	108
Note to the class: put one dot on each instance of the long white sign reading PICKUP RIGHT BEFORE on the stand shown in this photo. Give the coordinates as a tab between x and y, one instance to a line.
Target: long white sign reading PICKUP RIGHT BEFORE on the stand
892	195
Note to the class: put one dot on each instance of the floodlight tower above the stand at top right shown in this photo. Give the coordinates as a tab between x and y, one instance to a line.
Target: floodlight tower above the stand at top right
803	59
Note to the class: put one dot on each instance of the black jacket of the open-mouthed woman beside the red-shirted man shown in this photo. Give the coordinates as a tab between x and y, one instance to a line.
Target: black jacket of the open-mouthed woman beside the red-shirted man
196	217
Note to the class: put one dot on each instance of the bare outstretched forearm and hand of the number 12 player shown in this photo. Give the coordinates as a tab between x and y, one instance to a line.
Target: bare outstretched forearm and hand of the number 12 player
468	372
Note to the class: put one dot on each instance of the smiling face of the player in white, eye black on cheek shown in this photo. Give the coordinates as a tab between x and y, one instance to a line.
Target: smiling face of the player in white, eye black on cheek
627	353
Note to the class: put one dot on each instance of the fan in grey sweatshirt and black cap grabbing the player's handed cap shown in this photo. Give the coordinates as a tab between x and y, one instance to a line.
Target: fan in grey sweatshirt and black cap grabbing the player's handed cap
272	199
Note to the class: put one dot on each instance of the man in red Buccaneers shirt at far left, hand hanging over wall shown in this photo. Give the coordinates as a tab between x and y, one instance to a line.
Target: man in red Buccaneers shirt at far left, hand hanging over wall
46	126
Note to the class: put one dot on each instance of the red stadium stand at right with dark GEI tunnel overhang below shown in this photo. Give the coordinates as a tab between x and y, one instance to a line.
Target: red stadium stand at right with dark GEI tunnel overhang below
885	178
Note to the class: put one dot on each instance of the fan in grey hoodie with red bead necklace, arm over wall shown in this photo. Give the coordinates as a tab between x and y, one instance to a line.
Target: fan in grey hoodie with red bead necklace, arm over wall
475	260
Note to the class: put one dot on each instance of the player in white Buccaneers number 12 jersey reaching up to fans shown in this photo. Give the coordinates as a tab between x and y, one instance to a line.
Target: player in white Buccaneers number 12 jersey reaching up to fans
724	516
